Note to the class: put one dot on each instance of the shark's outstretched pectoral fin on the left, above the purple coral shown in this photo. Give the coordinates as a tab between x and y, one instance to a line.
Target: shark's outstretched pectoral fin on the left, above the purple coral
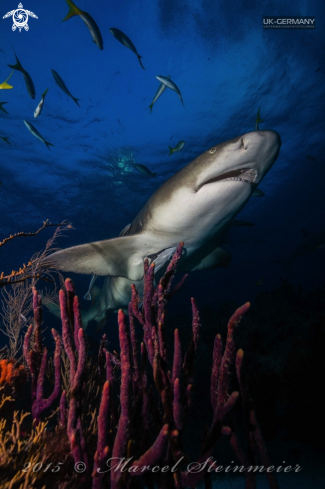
118	257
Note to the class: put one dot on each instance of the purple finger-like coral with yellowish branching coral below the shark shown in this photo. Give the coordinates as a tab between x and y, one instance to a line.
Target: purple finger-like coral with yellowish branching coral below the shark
131	434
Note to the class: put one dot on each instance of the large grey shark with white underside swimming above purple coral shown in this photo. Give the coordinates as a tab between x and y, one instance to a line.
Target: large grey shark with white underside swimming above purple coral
197	205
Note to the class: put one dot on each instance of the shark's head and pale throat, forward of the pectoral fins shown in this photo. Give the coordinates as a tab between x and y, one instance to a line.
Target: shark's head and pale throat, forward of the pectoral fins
214	187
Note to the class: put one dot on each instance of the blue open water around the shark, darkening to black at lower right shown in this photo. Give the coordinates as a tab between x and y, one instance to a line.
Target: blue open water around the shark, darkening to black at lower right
227	67
